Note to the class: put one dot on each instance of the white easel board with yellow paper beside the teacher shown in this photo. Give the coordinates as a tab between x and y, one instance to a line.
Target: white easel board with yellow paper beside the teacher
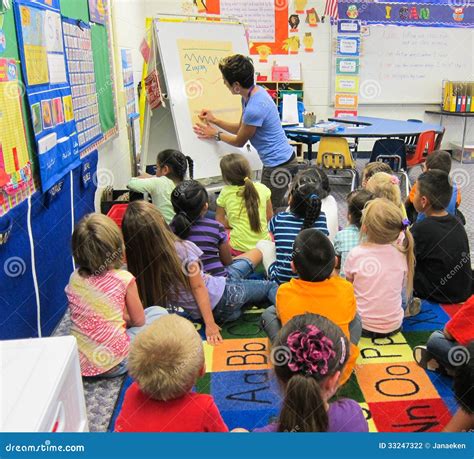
188	55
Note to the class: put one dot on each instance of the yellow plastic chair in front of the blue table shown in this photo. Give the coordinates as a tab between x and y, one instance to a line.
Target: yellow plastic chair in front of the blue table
334	154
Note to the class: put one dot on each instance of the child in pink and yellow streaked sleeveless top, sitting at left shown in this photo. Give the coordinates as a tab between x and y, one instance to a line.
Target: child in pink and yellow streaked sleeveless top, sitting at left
103	299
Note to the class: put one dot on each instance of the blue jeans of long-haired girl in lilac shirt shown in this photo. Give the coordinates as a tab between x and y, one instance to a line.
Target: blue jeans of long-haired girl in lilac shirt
240	292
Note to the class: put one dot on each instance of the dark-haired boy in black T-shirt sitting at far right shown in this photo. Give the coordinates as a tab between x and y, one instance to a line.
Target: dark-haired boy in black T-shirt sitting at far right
443	265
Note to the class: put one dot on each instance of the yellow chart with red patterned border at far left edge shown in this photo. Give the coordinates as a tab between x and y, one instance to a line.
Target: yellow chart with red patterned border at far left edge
16	180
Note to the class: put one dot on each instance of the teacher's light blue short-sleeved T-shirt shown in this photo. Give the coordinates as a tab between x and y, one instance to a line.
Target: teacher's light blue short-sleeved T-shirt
269	139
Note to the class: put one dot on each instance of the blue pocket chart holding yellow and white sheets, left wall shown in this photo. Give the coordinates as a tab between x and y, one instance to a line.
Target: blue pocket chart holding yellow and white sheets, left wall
41	45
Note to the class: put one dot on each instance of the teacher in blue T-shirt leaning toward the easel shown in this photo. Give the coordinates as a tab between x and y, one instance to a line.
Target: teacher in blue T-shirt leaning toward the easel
260	124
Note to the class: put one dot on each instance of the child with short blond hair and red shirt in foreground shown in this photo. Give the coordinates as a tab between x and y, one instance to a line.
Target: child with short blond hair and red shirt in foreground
165	361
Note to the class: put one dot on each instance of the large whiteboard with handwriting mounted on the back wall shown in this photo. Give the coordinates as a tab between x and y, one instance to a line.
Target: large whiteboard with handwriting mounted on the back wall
406	65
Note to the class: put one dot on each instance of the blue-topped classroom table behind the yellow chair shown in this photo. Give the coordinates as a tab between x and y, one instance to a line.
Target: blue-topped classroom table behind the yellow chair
365	127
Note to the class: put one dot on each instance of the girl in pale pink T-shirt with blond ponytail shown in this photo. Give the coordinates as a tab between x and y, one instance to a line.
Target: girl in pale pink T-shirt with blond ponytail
380	267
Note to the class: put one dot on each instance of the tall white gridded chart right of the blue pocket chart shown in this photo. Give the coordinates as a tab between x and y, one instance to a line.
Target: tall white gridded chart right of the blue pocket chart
84	102
